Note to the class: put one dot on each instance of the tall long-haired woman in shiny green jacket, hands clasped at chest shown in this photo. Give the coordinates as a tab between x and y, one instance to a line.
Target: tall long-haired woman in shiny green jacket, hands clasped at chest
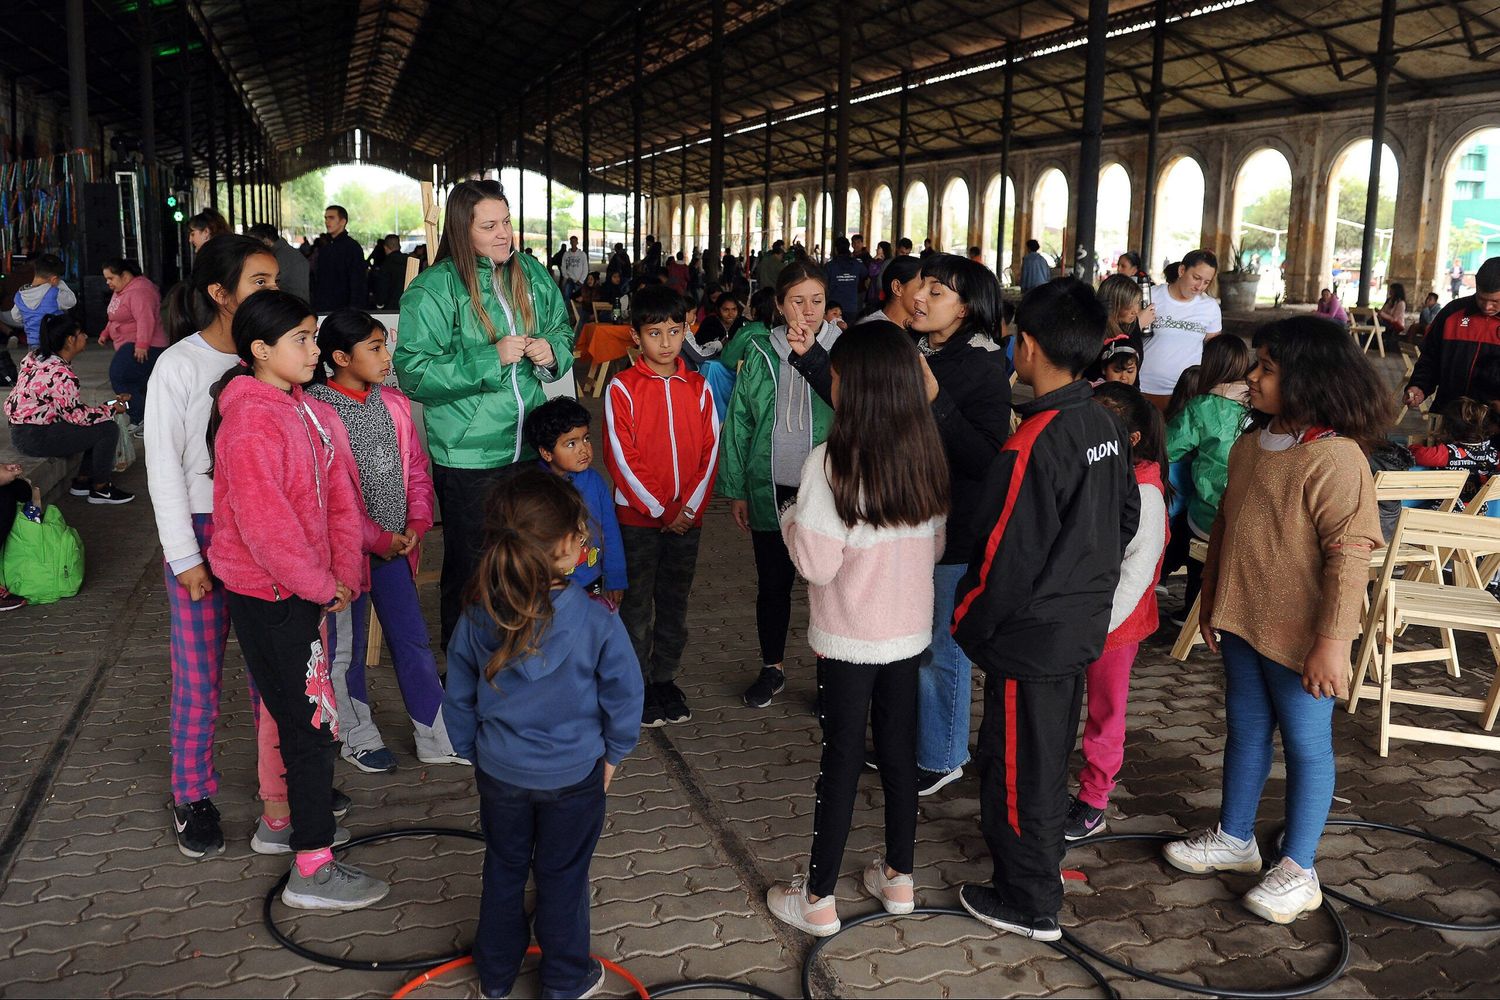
479	334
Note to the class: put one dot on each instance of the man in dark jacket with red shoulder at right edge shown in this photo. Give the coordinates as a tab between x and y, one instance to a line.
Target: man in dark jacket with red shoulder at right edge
1463	340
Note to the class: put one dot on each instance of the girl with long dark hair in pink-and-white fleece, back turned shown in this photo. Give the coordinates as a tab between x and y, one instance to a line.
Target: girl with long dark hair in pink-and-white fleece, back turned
865	531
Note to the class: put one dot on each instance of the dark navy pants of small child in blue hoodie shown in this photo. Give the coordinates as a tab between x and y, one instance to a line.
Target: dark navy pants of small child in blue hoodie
551	834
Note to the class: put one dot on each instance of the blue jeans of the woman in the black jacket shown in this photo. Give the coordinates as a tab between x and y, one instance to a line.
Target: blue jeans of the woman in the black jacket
943	684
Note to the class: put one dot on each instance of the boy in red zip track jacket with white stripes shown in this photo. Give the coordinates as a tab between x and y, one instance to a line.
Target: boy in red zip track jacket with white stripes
664	452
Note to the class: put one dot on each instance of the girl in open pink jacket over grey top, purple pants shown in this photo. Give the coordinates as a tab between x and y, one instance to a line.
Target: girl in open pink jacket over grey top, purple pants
398	501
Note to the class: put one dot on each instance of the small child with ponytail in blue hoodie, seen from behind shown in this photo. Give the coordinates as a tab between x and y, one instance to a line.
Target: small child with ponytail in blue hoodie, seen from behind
545	698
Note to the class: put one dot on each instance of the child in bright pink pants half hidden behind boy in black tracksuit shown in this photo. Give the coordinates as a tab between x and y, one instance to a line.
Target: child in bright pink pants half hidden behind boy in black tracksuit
1133	615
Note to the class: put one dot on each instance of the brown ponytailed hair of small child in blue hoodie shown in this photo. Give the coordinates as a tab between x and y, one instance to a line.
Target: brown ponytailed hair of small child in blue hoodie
532	515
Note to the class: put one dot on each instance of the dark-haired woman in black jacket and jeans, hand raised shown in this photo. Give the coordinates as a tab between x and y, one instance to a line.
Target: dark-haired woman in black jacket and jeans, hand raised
956	311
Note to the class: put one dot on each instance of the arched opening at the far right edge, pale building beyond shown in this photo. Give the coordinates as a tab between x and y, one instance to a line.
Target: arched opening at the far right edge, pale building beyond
1472	215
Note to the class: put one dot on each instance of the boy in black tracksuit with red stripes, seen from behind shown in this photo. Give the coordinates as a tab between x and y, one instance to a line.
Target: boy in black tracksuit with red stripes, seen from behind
1033	611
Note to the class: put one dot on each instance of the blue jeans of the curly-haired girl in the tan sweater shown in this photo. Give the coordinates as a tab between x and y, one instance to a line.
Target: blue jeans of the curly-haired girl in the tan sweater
1261	696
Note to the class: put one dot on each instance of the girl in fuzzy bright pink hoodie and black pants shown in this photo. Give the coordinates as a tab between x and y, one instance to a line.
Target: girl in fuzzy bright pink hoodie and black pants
287	546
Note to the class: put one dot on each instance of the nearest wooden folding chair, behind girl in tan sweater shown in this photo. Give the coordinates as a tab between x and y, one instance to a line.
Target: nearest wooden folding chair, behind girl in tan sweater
1463	606
